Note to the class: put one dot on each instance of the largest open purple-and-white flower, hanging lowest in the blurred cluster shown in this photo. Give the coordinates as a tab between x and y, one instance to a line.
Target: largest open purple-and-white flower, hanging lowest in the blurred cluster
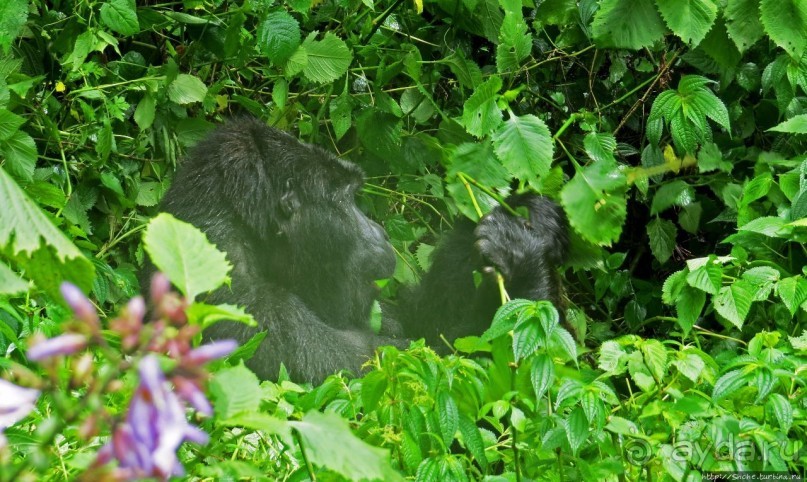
145	444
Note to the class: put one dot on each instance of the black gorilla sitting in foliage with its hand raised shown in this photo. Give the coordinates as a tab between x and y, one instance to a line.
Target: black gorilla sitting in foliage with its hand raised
305	257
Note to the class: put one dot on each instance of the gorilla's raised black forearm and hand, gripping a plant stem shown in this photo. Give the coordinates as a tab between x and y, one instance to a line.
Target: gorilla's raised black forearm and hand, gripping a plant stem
526	252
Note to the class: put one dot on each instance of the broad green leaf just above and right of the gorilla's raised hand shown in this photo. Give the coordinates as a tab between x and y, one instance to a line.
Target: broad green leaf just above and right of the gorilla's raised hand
595	202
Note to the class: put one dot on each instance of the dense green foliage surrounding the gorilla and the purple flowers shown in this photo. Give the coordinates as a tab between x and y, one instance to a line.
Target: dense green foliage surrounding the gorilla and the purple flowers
672	132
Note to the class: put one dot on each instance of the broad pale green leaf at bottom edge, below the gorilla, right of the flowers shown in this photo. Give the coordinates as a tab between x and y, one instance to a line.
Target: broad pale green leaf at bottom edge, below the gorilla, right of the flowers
330	444
